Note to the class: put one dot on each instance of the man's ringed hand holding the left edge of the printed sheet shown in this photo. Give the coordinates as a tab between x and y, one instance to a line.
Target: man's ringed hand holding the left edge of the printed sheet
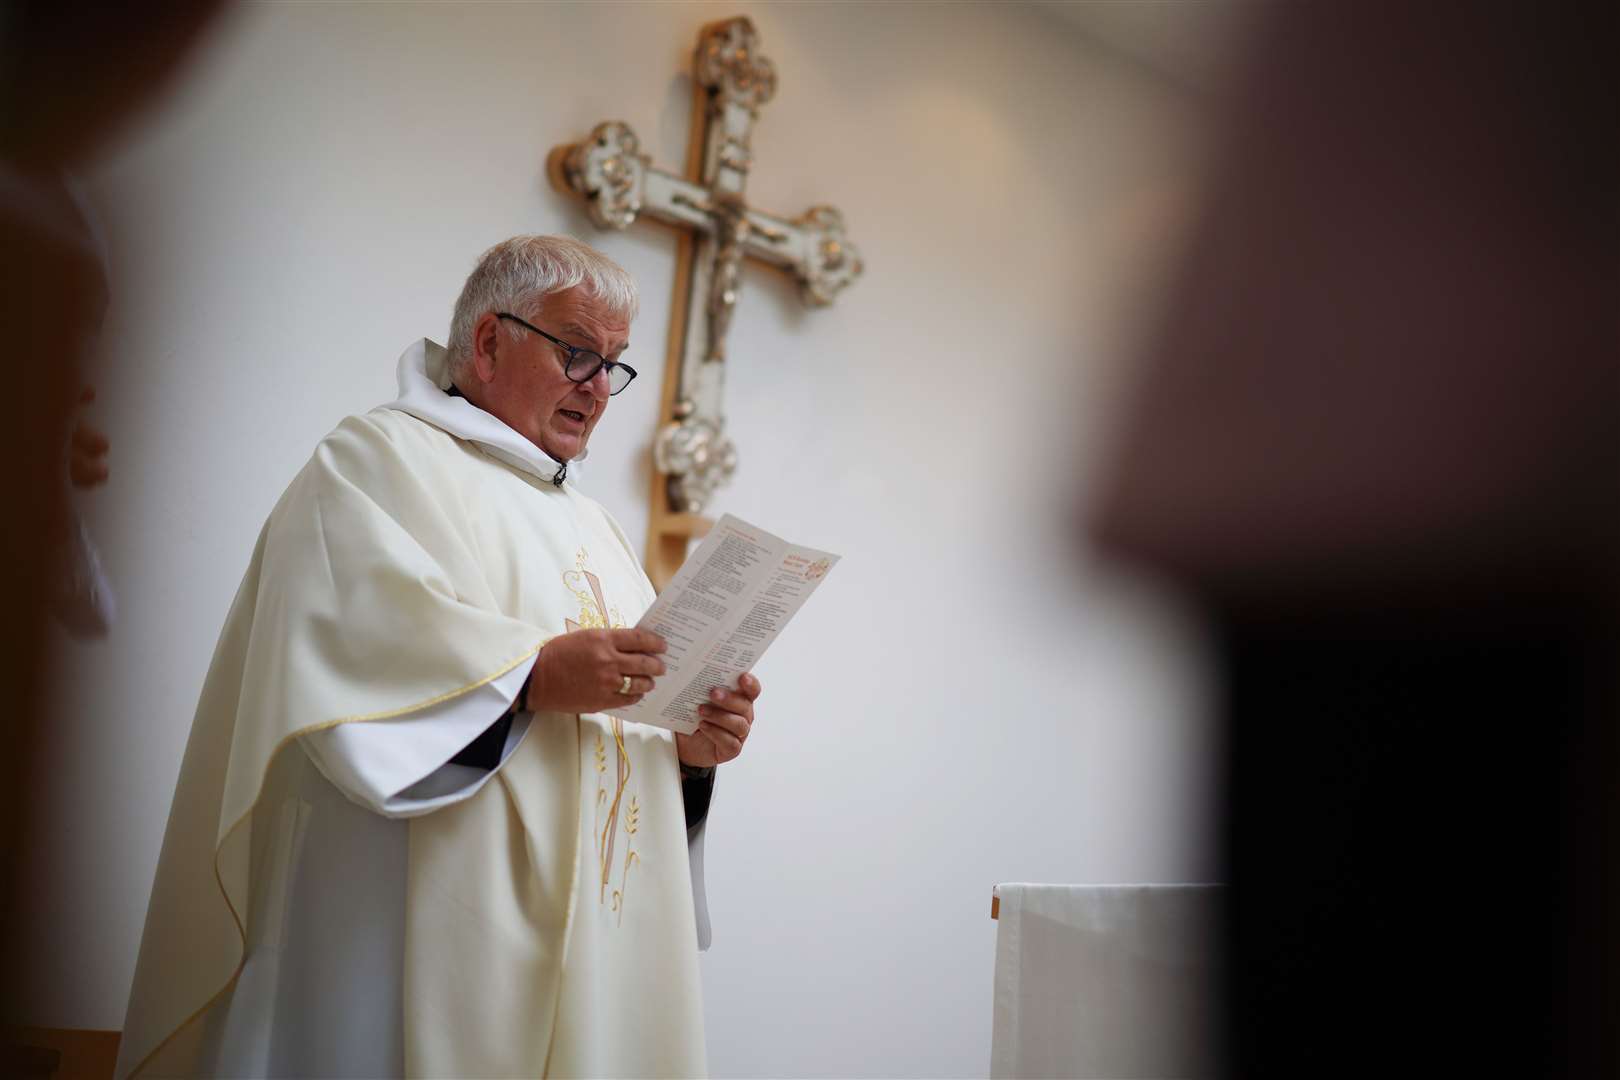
584	671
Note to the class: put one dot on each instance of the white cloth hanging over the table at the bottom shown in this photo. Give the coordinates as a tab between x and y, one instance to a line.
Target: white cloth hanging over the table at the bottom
1104	982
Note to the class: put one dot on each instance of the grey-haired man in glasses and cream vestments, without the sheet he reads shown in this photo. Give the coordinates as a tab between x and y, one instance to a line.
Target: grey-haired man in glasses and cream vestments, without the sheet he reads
407	836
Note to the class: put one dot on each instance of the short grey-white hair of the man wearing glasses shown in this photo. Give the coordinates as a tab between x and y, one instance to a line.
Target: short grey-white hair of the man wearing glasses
518	276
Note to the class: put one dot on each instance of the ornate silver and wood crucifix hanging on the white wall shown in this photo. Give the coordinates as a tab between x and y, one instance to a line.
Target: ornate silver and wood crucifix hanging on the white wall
693	456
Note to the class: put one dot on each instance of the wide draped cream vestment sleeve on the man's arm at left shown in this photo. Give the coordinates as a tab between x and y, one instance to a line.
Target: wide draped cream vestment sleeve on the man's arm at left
391	645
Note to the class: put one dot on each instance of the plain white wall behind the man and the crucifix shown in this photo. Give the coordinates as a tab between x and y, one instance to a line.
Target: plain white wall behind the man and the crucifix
963	704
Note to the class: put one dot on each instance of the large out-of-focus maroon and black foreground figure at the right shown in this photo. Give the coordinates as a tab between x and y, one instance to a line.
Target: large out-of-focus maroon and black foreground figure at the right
1378	444
